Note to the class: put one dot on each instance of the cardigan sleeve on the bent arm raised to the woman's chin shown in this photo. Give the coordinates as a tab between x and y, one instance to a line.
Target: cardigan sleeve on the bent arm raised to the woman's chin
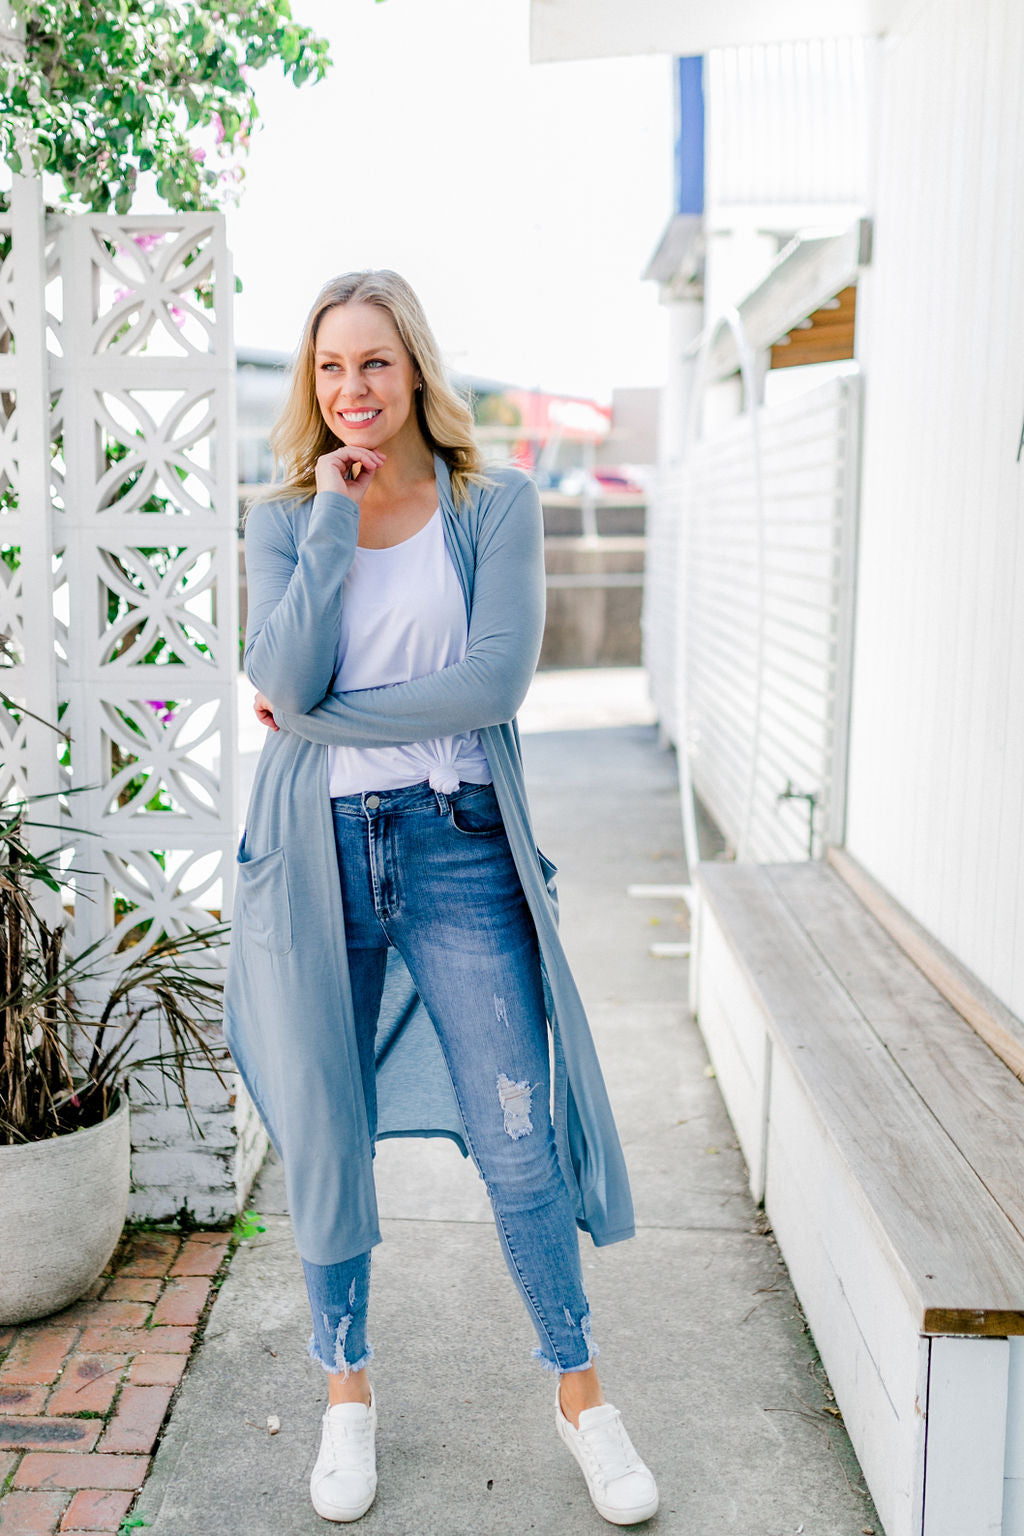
296	598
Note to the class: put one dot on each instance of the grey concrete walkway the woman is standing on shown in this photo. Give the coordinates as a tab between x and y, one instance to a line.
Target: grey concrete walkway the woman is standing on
702	1342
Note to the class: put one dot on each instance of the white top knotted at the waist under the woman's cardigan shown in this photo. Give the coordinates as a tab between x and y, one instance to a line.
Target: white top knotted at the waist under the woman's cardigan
403	617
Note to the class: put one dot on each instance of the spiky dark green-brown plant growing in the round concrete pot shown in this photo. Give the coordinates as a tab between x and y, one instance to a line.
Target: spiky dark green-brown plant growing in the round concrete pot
71	1027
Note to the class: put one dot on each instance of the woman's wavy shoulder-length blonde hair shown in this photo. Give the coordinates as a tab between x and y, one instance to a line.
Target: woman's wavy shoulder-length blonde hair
302	435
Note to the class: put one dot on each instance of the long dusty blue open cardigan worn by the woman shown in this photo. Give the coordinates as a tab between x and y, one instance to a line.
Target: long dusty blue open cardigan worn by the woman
288	1010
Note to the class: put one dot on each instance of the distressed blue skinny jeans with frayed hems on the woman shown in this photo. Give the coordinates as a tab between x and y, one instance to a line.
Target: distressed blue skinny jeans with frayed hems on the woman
434	876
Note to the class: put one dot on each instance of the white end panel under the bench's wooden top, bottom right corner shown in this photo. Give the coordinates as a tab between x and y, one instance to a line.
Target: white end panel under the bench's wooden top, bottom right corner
965	1457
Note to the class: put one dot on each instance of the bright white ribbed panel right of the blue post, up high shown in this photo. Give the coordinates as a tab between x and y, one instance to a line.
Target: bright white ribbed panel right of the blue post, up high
790	122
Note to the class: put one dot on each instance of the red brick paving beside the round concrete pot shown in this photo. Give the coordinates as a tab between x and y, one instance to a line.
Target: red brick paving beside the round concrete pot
85	1392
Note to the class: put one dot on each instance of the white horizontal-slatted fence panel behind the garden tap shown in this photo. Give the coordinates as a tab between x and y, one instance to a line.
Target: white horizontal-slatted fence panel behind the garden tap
744	752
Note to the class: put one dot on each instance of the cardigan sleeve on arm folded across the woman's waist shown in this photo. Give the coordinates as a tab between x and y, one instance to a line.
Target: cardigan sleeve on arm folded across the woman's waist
503	649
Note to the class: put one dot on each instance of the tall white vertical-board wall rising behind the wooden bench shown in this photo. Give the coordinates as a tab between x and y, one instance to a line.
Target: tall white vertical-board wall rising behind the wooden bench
937	755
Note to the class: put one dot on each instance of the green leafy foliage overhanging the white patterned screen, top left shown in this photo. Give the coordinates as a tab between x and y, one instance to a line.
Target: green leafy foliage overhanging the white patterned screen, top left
108	91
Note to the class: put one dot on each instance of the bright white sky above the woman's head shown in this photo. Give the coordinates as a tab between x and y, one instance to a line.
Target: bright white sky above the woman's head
523	202
